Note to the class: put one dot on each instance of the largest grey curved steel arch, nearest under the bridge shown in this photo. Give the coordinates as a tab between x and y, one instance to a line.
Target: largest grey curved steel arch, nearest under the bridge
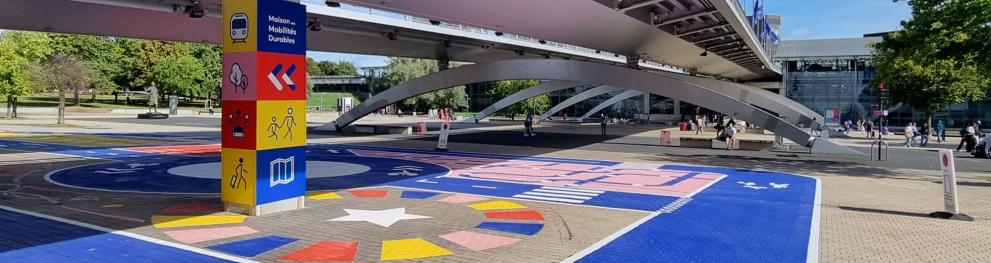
571	70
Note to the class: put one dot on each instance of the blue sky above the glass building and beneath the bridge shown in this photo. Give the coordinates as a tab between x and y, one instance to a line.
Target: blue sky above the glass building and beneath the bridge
800	19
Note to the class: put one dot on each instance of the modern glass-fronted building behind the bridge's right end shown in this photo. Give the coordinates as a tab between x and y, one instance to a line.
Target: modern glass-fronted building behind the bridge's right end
833	75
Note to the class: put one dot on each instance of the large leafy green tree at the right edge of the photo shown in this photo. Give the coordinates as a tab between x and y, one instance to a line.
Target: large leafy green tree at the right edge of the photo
940	57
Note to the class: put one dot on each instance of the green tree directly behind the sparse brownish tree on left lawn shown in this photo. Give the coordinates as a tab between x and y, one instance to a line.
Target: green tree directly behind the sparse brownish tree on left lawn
100	54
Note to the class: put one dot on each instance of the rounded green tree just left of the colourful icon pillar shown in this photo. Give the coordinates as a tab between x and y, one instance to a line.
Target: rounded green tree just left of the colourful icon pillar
179	75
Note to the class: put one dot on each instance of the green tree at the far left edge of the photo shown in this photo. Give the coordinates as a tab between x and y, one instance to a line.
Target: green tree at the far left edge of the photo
18	51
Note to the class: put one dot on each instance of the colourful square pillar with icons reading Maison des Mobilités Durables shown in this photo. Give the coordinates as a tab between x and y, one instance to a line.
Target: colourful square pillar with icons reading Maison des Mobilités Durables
264	106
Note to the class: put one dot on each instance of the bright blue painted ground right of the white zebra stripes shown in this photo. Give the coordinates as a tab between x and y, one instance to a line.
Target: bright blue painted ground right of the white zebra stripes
726	223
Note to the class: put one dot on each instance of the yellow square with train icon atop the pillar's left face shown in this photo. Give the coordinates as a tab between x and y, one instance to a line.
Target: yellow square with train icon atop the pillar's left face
248	8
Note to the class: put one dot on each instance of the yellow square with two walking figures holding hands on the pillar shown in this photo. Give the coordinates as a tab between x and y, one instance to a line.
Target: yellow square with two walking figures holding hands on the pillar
275	120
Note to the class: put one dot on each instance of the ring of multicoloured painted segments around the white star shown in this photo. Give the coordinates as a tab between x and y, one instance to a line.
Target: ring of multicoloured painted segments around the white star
506	222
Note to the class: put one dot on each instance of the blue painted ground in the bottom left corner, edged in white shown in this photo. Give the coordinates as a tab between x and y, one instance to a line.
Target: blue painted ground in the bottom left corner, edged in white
26	238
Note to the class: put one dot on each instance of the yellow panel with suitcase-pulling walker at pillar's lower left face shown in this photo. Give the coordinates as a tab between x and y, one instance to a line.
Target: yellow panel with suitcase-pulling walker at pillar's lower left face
238	187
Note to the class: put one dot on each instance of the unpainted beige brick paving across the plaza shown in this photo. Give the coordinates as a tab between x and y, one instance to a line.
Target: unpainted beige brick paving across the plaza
870	212
